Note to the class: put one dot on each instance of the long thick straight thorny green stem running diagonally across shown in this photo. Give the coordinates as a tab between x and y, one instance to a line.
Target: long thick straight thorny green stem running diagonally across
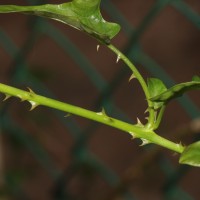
134	130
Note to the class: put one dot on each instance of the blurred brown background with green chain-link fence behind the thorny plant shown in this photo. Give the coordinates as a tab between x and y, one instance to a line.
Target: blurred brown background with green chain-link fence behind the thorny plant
44	155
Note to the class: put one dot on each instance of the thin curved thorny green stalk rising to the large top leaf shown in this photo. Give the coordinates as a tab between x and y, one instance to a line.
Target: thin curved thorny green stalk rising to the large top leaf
141	80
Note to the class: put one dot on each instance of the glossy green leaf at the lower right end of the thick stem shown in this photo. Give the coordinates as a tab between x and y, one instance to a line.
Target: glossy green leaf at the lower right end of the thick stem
191	155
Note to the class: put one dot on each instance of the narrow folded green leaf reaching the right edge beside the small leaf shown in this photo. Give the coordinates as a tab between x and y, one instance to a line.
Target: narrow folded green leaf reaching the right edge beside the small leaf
177	90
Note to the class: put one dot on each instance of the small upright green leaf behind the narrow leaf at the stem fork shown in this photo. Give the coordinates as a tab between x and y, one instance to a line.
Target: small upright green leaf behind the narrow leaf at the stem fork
156	87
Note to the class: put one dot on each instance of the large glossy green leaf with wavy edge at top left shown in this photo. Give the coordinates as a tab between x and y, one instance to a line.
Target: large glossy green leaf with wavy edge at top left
83	15
